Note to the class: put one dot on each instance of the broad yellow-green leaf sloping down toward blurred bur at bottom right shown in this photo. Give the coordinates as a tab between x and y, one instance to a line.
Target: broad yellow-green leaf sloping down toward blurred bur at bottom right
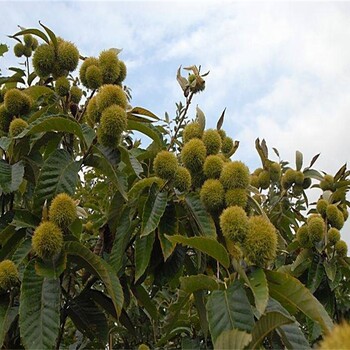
294	296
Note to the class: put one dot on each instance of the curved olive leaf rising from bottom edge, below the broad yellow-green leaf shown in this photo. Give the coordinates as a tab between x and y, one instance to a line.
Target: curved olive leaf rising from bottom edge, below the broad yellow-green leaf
266	324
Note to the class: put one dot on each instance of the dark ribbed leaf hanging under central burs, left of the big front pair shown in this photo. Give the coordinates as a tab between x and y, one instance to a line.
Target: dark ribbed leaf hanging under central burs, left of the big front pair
198	213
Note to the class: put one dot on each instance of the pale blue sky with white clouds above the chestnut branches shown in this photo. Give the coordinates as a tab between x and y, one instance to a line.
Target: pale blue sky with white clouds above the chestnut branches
282	70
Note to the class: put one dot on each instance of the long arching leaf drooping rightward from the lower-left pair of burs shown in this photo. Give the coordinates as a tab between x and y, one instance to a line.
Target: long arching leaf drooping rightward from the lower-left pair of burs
97	266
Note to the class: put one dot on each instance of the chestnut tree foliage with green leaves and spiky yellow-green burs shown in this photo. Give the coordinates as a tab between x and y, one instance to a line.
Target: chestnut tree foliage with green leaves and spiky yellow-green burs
169	245
